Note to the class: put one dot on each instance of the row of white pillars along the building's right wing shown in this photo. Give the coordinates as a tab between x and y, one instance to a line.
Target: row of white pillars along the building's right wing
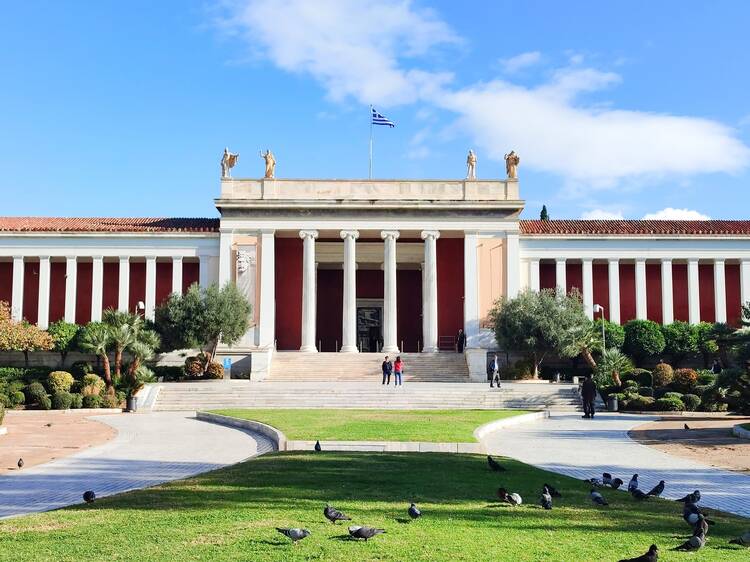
720	300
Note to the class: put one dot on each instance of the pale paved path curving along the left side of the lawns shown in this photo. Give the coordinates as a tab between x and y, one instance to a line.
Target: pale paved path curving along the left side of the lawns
149	449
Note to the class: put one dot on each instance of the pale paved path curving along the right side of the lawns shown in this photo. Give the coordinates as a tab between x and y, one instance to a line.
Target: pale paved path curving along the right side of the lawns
566	444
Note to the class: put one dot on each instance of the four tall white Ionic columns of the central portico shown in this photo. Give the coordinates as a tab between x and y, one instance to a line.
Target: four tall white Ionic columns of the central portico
349	316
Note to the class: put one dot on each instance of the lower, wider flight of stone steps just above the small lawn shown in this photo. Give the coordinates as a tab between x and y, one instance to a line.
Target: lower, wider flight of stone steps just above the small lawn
368	395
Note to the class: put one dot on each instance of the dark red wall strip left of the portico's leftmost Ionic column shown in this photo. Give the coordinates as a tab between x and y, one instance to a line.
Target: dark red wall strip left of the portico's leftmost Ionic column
288	258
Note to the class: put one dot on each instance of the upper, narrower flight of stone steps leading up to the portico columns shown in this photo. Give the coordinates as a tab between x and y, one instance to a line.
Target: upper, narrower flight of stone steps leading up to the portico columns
296	366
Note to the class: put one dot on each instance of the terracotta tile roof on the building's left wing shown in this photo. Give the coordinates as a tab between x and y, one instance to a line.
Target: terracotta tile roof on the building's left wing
62	224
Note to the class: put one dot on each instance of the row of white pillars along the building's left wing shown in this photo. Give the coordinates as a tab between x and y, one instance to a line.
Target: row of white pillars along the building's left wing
97	286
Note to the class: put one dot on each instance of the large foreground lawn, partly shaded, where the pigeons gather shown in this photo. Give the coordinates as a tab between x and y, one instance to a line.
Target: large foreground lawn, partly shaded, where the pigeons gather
230	514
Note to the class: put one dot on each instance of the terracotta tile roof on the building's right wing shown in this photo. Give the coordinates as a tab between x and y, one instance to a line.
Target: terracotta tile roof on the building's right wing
636	227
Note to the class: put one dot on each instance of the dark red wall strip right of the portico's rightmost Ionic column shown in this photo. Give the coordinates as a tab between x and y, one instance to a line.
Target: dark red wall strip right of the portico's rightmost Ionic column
450	268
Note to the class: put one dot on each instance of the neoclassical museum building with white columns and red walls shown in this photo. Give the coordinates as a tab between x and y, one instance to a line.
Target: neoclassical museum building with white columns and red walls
388	266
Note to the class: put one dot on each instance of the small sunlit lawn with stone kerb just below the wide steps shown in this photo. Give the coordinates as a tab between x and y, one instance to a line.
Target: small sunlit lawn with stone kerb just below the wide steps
442	426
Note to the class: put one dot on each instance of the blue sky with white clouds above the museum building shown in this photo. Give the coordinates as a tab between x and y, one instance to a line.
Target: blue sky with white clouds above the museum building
617	110
